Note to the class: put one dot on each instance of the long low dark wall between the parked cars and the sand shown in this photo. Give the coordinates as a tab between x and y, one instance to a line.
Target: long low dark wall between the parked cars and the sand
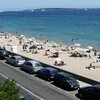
79	77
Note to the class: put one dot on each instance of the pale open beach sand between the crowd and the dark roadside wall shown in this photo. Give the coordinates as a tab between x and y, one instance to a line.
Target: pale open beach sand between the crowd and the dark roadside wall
77	65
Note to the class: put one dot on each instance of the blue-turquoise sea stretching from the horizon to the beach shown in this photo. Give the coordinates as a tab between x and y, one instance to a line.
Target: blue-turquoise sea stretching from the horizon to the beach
66	25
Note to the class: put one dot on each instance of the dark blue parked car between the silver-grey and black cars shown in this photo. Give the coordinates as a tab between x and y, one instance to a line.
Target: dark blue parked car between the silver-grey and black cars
47	73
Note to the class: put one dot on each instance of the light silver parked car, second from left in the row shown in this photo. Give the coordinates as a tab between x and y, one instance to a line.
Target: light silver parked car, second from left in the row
15	60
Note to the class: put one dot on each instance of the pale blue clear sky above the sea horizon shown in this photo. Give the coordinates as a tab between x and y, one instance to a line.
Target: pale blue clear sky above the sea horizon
32	4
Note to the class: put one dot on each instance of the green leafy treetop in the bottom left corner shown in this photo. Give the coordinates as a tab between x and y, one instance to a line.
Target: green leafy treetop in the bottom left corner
9	91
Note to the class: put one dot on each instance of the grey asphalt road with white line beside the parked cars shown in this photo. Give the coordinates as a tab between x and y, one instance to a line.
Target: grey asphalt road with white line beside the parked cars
34	88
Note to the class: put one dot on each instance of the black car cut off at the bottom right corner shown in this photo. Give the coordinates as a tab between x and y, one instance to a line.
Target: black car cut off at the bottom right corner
90	92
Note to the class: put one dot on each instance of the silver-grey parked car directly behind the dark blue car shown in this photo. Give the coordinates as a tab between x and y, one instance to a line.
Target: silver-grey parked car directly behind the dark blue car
31	66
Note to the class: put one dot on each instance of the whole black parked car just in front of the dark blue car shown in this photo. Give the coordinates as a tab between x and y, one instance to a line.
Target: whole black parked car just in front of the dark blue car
66	81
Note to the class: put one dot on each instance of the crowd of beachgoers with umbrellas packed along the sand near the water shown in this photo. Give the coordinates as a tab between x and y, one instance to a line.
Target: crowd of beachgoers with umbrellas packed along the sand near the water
33	46
